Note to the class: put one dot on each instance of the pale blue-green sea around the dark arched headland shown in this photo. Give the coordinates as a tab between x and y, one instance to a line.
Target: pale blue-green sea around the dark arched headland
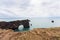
38	22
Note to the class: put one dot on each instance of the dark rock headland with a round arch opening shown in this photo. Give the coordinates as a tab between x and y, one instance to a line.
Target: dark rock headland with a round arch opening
14	24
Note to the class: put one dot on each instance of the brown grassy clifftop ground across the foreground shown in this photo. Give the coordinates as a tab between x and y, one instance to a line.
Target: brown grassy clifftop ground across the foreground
35	34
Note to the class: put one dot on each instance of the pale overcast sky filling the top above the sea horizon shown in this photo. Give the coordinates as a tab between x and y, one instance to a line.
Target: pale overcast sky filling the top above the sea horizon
29	8
